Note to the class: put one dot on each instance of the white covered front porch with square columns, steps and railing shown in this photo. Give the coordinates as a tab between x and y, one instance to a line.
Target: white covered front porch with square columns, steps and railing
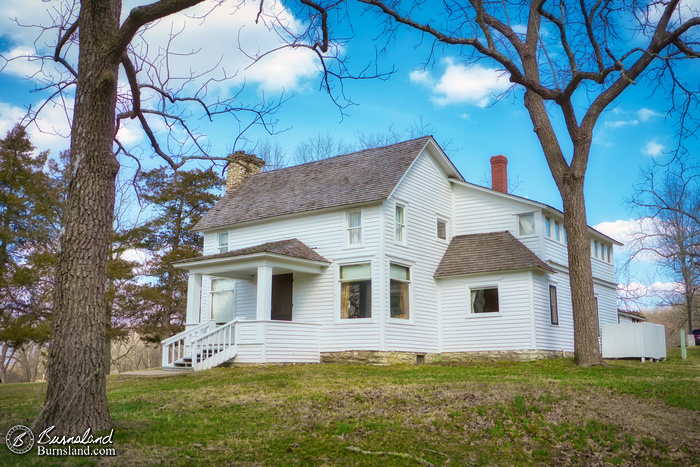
219	332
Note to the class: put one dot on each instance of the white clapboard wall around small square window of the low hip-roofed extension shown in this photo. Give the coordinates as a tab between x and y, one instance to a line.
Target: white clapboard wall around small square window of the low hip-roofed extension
507	330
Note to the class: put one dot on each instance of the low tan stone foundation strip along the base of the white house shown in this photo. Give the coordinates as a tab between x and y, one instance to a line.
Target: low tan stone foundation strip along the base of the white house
375	357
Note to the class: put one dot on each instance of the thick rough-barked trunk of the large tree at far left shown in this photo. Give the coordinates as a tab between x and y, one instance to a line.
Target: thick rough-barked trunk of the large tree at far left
76	396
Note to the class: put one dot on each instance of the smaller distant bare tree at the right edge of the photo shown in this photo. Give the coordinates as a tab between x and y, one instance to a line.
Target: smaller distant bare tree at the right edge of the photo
668	199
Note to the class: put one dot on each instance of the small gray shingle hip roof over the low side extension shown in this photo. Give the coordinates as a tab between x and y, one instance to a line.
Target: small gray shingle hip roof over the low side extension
488	252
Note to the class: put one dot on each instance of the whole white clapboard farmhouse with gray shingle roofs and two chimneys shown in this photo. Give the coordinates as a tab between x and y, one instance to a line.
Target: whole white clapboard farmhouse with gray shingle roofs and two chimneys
383	255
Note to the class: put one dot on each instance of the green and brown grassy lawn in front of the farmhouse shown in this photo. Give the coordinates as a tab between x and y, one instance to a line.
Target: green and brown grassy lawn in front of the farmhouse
542	413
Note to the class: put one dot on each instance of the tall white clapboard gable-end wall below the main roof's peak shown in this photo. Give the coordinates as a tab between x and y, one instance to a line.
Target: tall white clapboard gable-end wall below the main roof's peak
425	193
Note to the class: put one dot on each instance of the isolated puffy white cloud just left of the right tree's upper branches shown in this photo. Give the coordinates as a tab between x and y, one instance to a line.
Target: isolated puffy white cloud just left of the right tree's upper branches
460	84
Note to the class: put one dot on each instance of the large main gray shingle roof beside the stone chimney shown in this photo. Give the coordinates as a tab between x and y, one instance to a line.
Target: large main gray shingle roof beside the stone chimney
360	177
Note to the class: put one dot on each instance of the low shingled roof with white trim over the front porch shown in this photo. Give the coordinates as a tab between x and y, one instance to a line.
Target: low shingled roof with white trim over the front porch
284	256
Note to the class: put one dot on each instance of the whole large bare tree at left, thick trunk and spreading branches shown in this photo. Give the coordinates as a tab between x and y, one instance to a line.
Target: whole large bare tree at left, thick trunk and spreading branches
91	47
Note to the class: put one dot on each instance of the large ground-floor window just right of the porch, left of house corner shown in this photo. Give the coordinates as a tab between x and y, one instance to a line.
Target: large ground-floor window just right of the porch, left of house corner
356	291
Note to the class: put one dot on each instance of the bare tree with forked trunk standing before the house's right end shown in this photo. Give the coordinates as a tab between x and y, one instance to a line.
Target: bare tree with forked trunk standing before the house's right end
571	60
